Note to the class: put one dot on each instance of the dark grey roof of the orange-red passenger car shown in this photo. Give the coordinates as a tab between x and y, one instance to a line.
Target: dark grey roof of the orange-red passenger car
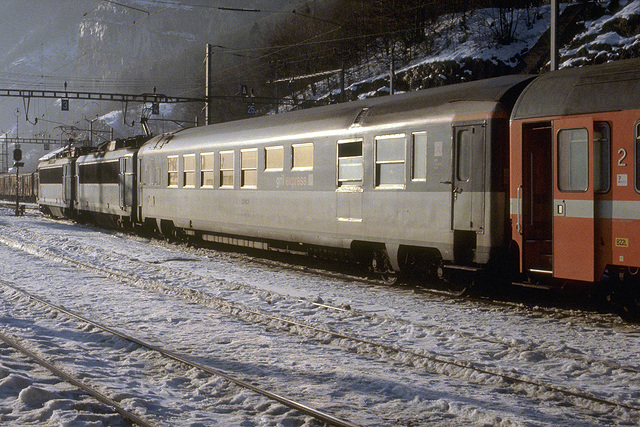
613	86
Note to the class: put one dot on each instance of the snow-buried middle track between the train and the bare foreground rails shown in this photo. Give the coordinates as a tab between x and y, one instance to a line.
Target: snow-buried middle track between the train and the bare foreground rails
432	361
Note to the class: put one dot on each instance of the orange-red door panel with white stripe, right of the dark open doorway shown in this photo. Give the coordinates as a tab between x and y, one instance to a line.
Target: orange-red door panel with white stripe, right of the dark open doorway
573	200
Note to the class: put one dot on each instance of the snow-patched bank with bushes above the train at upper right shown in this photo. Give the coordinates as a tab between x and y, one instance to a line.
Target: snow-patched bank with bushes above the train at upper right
590	33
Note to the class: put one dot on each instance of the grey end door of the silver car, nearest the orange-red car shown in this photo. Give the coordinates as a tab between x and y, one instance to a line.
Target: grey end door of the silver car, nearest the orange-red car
468	188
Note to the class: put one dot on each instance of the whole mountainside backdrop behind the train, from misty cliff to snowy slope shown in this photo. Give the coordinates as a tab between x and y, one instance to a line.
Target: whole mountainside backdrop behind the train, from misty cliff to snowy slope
161	46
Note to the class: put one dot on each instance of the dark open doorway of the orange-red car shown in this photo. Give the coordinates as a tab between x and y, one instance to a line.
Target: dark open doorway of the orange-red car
536	198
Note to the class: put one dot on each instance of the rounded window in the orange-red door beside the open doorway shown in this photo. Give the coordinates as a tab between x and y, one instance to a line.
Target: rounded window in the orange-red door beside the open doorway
573	160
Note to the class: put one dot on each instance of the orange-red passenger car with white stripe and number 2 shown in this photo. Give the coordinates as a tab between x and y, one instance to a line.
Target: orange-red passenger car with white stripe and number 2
575	180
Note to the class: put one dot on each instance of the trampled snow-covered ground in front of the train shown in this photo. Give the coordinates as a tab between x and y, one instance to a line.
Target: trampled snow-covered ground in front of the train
391	356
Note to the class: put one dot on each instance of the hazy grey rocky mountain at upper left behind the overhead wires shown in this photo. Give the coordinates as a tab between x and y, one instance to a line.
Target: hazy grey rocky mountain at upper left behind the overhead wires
136	46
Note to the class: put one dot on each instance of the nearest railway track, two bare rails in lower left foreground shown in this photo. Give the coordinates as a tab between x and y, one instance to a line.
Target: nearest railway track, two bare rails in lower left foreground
185	360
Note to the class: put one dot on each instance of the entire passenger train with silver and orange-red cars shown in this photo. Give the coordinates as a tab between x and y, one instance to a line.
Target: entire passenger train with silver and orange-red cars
521	179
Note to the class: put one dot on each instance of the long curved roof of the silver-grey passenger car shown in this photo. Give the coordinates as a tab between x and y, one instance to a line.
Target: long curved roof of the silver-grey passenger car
483	95
